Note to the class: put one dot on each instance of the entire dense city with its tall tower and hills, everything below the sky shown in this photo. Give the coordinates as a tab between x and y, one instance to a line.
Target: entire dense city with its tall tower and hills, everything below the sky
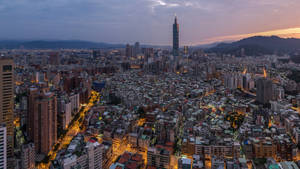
72	104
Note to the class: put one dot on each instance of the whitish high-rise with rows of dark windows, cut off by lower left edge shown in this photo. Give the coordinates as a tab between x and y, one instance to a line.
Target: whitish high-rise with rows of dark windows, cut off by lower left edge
3	147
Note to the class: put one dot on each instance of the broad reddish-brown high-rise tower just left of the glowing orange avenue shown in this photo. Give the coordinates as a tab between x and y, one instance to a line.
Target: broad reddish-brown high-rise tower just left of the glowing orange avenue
42	119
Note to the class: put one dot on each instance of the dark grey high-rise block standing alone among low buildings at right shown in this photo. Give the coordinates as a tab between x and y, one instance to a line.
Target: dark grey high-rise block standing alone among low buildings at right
264	90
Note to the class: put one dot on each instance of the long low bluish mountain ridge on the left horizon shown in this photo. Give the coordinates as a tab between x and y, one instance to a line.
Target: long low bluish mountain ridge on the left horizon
56	44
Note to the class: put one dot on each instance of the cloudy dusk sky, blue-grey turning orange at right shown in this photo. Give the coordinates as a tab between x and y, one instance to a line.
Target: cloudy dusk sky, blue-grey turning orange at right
147	21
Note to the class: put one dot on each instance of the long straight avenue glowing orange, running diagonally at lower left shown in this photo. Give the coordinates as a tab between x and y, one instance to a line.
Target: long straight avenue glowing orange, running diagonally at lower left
72	131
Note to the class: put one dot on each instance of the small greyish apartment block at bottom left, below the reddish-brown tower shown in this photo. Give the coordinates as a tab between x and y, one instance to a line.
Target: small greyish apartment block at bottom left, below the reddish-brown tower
28	156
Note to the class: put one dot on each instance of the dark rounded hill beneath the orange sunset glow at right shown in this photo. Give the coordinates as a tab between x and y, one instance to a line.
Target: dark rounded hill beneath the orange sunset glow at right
259	45
